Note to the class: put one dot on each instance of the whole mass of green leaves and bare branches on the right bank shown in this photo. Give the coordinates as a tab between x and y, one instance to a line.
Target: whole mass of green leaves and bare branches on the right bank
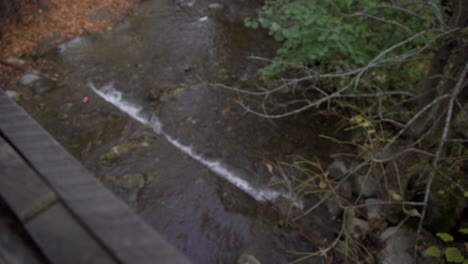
398	69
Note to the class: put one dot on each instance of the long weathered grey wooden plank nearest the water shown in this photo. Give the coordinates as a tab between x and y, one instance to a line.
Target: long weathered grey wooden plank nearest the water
111	221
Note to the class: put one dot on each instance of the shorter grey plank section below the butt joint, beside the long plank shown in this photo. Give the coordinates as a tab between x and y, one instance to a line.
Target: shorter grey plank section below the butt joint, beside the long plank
63	240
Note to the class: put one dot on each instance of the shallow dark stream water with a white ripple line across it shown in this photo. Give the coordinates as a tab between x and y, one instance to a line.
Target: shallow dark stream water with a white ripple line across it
205	186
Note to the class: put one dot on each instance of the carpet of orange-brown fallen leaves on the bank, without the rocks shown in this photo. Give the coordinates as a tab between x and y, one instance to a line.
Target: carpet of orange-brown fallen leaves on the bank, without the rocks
37	28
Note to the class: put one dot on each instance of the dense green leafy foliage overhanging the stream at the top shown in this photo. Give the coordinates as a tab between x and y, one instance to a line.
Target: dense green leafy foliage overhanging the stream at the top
334	36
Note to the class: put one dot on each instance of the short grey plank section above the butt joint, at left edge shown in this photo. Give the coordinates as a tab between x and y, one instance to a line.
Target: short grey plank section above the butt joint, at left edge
24	192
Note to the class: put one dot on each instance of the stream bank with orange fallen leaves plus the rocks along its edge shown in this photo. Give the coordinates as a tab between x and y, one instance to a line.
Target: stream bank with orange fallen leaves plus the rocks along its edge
38	28
